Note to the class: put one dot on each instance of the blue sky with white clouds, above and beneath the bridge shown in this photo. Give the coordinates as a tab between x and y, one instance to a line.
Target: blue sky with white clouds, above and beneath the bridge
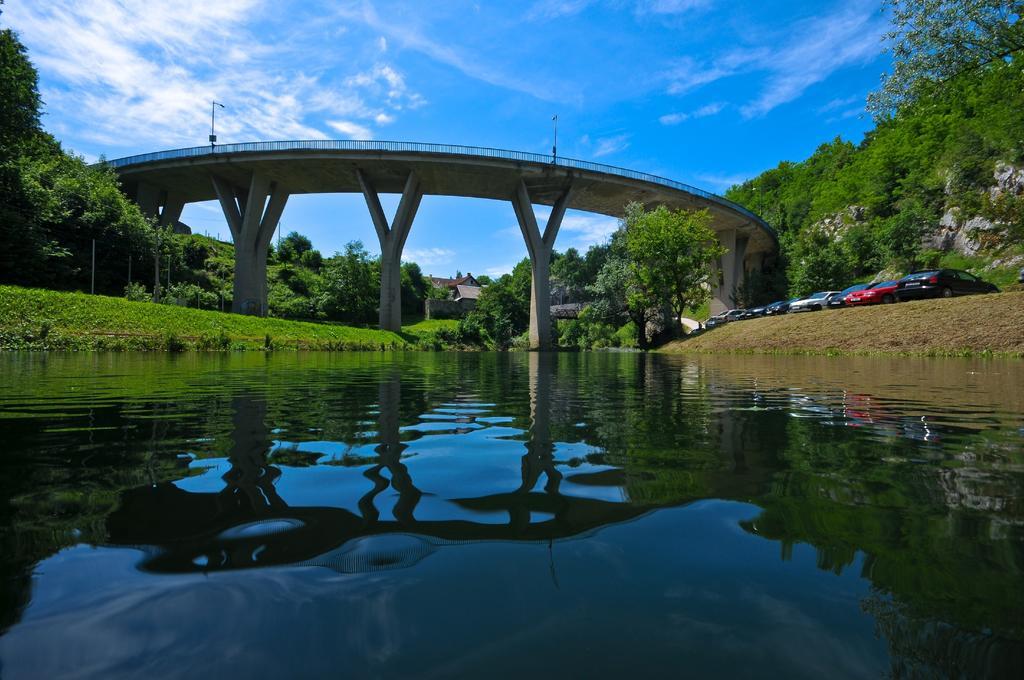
709	93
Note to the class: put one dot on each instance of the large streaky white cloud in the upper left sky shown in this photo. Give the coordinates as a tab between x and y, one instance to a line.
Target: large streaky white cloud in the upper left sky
137	73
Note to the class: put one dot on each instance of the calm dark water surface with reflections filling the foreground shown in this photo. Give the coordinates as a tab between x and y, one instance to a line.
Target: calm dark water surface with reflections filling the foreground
572	516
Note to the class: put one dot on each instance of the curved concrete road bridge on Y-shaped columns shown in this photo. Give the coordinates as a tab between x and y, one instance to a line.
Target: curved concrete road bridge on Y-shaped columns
252	183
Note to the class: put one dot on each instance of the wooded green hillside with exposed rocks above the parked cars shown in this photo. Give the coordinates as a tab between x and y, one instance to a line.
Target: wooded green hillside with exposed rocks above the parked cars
942	184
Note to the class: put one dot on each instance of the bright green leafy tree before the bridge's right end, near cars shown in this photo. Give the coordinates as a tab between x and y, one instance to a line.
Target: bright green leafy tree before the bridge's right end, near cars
671	256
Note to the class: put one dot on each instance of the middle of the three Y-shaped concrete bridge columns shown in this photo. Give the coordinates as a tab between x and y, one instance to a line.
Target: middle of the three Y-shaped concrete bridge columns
393	241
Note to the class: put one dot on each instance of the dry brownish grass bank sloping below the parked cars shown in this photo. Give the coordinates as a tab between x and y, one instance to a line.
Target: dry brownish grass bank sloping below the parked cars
967	326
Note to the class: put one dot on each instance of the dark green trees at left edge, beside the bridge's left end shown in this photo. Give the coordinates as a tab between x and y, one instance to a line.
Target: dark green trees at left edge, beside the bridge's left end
53	205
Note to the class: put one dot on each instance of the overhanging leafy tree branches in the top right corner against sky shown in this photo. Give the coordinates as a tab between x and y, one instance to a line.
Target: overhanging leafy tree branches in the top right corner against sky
934	41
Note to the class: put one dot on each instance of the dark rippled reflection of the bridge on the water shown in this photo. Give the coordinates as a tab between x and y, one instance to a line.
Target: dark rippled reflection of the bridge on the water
249	525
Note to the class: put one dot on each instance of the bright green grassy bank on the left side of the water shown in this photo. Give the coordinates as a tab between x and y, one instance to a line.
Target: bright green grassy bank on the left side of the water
33	319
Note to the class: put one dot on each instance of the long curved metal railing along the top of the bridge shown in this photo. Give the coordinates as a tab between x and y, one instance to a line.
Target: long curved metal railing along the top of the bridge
426	148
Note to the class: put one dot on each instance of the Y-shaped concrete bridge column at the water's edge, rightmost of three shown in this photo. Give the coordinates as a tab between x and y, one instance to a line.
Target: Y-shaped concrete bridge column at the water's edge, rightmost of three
539	246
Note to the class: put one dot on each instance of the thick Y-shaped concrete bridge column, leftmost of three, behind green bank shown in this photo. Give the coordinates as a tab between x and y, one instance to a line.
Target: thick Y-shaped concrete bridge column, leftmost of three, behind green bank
252	216
